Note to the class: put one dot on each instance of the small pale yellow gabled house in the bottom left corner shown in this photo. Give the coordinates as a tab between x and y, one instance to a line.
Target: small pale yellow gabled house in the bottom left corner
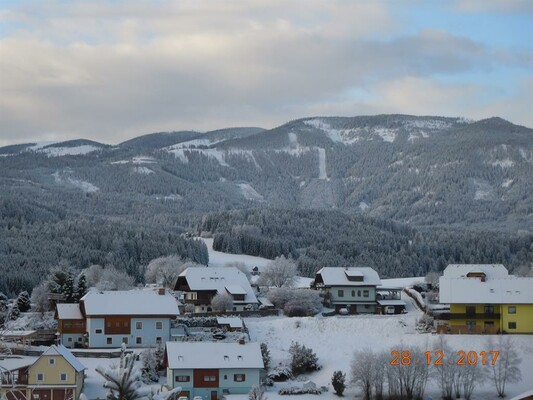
55	375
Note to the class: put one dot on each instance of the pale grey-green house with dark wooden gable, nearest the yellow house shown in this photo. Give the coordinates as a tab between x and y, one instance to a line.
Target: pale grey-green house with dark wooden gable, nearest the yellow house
351	288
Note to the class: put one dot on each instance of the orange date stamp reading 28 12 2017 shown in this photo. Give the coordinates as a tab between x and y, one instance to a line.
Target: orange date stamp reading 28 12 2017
438	357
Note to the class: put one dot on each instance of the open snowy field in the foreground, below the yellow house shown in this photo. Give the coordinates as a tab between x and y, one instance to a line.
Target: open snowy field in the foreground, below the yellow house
334	340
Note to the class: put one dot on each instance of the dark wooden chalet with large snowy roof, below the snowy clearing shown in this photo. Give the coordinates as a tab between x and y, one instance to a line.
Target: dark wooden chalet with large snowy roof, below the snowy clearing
201	284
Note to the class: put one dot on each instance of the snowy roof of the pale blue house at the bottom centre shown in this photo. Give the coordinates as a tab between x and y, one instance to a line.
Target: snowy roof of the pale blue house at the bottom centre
189	355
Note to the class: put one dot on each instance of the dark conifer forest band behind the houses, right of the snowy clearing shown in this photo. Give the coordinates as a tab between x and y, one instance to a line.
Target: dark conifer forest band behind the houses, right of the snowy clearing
336	239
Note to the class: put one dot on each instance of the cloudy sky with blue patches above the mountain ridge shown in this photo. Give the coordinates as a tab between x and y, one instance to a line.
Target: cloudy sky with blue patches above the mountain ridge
112	70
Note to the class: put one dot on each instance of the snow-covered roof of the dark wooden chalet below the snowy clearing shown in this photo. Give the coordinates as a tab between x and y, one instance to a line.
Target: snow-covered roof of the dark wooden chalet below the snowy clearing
219	279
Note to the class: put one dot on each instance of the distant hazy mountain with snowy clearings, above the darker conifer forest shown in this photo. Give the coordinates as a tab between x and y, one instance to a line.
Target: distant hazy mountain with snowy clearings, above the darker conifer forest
418	170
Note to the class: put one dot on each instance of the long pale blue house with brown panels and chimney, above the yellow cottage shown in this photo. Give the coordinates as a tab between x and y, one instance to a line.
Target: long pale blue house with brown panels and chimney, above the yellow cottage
138	318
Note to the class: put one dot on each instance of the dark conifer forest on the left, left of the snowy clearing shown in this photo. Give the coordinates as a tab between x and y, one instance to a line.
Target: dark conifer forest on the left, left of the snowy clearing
30	246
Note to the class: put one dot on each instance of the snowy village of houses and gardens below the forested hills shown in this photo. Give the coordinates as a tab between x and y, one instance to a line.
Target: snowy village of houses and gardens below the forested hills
217	334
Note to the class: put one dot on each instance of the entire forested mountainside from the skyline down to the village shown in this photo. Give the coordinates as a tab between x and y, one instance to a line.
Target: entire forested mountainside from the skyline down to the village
123	204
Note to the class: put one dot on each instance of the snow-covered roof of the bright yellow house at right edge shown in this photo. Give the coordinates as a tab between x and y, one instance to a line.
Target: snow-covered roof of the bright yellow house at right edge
495	287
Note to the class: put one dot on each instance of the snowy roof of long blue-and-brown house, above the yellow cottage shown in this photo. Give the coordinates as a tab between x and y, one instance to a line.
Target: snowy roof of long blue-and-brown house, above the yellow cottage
130	302
